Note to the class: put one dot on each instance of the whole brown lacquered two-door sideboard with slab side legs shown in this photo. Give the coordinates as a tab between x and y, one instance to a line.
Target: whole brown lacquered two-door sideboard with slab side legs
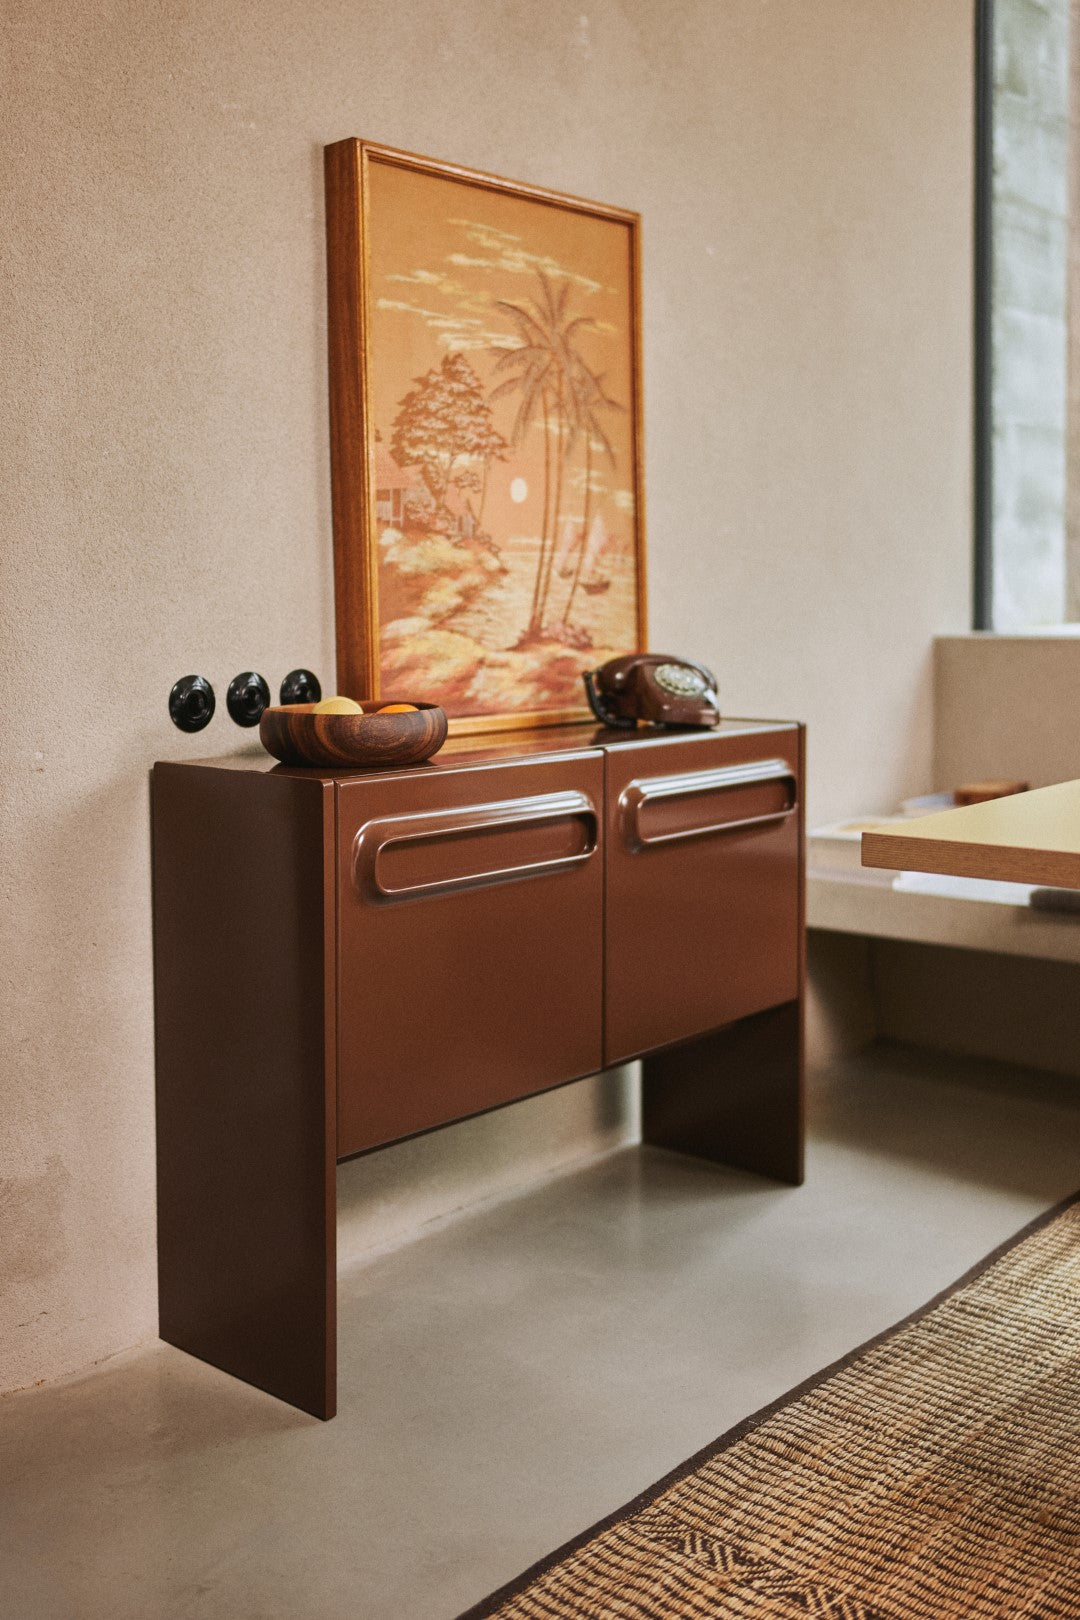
349	958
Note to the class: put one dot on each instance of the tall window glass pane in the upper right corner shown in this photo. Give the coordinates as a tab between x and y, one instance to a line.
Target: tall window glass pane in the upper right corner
1034	373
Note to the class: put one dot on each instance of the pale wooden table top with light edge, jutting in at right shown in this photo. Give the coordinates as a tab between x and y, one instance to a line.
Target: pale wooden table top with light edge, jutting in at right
1026	838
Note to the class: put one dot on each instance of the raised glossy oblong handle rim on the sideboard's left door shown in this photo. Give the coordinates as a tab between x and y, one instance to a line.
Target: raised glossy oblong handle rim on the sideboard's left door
380	837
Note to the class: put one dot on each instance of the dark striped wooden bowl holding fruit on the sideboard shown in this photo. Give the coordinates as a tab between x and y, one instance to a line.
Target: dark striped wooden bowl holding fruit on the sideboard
297	736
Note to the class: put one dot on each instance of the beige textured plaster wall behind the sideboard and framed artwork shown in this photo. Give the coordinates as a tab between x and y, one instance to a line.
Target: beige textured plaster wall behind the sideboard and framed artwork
804	171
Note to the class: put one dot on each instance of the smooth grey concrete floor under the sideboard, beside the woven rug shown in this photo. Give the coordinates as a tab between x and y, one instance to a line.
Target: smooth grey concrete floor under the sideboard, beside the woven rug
524	1371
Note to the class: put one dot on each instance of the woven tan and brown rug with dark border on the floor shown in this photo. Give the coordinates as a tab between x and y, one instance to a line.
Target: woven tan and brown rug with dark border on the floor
935	1473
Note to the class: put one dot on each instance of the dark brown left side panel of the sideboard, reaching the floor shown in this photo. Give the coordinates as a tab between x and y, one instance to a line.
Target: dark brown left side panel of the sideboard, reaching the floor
244	940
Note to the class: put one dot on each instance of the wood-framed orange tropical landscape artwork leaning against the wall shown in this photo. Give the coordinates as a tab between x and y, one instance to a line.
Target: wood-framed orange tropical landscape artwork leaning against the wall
485	438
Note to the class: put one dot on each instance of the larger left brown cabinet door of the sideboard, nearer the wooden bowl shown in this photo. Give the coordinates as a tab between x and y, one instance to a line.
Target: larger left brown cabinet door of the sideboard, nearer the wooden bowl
470	940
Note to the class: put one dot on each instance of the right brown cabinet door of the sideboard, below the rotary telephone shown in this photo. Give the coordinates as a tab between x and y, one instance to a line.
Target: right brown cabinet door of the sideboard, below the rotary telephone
704	884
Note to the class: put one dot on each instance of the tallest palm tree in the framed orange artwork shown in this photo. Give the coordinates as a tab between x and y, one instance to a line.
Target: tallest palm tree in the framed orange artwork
545	369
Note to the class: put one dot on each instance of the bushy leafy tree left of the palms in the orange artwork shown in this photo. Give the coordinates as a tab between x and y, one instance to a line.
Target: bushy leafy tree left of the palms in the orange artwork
444	427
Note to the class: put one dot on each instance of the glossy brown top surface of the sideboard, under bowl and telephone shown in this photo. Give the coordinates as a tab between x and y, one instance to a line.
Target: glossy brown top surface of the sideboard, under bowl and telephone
501	748
